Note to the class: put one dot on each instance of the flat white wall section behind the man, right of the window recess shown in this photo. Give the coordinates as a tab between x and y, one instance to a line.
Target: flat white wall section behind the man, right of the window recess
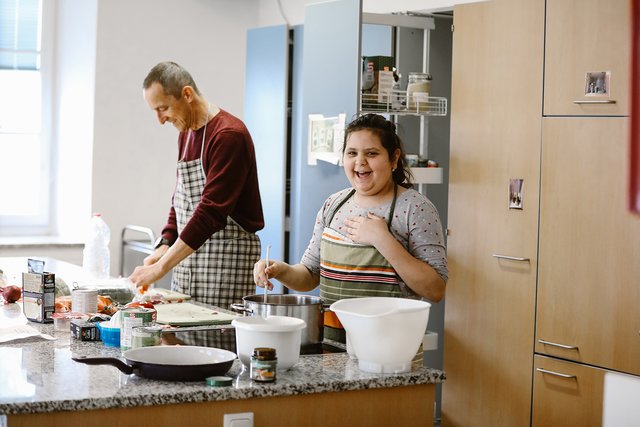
134	157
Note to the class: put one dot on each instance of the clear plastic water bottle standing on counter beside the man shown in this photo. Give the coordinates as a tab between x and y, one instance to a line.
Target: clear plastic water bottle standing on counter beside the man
96	258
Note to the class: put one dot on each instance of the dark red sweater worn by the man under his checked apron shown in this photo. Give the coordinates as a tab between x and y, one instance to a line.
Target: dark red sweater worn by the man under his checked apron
231	187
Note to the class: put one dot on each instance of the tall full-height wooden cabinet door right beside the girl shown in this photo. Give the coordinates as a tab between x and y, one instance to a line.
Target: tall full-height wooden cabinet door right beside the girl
495	135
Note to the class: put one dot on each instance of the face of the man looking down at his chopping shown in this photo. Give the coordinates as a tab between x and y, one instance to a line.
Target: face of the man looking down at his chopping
168	108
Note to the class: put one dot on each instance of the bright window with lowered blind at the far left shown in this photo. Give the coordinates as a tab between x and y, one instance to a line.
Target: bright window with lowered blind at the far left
25	165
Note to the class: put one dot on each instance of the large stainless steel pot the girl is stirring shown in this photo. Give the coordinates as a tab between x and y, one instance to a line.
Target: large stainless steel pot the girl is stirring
306	307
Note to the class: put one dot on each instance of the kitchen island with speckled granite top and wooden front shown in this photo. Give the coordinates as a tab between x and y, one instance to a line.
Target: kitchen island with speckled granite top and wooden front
41	385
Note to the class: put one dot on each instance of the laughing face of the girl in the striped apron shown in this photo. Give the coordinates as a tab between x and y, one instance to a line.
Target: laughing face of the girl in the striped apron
367	164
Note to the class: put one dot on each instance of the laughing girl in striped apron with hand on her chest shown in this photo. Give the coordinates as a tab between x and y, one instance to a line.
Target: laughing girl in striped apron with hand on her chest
379	238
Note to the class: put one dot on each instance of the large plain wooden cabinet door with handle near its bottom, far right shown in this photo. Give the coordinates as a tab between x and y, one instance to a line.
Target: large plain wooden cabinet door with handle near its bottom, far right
589	245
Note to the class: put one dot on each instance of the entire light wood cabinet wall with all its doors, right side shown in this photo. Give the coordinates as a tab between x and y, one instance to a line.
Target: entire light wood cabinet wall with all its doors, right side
585	299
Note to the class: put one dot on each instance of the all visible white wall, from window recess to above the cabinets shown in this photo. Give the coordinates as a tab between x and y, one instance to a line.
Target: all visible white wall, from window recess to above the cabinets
108	48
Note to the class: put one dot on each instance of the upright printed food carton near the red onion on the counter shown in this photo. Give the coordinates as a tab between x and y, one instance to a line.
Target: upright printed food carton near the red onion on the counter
38	296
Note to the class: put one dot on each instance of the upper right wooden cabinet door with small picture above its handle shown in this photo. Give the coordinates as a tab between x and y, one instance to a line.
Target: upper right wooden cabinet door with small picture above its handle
586	36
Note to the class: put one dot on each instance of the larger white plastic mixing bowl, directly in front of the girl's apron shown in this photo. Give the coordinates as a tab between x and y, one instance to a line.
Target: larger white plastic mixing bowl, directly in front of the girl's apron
384	333
